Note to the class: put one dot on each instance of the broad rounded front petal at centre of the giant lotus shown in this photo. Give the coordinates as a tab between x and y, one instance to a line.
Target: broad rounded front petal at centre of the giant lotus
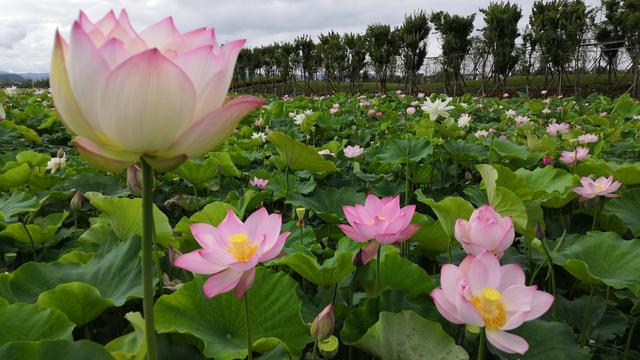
152	92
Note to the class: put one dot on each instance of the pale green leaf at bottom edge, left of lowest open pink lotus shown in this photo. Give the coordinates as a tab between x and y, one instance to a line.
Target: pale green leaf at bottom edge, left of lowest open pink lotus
406	335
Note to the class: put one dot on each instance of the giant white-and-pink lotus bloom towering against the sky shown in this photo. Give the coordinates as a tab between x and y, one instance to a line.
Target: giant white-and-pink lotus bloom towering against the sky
157	94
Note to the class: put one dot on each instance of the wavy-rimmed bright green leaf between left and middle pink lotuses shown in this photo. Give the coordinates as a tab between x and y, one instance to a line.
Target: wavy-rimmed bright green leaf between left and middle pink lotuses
329	273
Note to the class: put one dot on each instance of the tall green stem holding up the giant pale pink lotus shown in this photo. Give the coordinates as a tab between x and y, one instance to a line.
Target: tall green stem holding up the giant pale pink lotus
147	259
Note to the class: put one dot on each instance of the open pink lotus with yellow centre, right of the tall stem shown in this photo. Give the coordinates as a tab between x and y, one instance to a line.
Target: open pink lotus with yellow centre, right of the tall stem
232	250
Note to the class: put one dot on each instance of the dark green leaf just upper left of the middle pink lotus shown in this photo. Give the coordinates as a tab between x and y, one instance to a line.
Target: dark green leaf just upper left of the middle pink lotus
327	202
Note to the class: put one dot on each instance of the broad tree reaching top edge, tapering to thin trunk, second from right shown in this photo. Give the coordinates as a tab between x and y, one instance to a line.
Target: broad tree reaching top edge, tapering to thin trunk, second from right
558	27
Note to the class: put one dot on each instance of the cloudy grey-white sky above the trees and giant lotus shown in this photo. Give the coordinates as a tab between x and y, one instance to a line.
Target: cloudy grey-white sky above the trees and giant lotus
27	26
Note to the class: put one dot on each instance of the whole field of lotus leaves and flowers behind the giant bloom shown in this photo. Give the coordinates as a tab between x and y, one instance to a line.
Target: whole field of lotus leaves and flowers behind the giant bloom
413	227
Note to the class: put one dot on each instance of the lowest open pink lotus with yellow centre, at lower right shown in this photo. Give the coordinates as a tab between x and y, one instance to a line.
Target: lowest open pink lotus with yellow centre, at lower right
482	293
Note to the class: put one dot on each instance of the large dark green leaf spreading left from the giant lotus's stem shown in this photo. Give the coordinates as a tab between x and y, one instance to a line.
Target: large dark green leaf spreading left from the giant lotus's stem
115	272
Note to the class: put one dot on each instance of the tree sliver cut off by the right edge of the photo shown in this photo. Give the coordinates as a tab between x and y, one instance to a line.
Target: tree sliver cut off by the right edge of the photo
631	20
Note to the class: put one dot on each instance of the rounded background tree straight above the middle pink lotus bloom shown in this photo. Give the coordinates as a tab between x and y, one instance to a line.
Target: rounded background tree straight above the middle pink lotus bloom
382	46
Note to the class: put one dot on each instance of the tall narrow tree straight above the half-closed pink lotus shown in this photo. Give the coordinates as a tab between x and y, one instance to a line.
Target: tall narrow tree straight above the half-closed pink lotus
500	34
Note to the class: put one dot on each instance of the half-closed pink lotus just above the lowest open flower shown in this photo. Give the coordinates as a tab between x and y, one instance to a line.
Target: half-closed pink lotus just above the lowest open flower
485	231
